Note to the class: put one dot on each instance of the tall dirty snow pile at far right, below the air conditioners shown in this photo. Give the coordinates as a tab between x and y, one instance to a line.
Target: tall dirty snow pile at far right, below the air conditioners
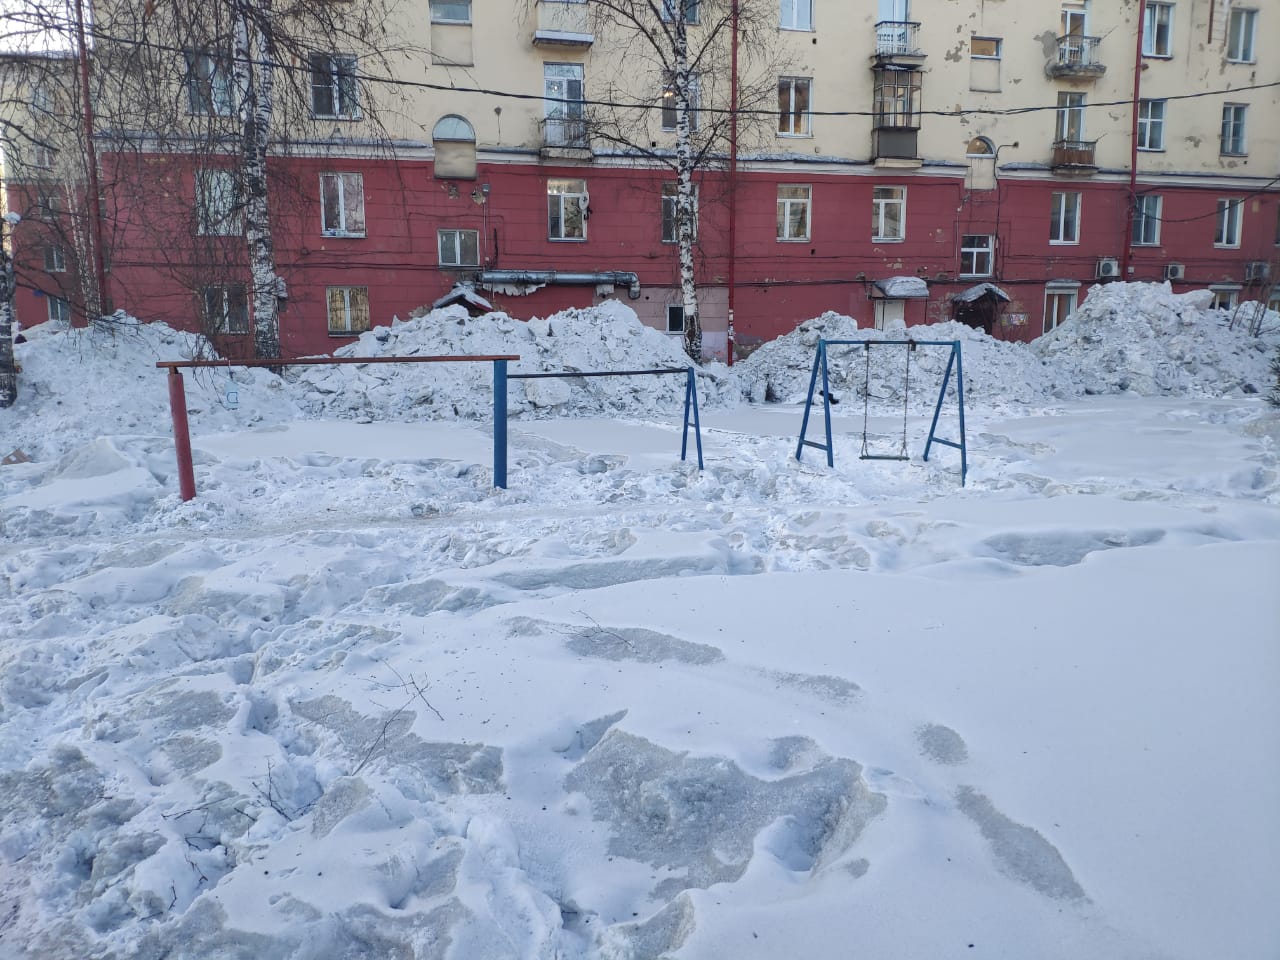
1144	339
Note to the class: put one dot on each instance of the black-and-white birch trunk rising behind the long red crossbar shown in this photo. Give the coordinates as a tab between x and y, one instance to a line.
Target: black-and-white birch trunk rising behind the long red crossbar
255	79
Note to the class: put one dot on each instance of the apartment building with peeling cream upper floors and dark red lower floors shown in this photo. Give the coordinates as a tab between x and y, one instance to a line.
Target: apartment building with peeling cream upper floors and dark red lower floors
903	161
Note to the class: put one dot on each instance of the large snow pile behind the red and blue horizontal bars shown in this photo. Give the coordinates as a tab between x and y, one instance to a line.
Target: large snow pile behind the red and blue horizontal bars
606	337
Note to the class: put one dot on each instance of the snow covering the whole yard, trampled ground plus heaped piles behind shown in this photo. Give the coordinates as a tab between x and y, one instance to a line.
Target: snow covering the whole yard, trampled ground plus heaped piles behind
353	702
